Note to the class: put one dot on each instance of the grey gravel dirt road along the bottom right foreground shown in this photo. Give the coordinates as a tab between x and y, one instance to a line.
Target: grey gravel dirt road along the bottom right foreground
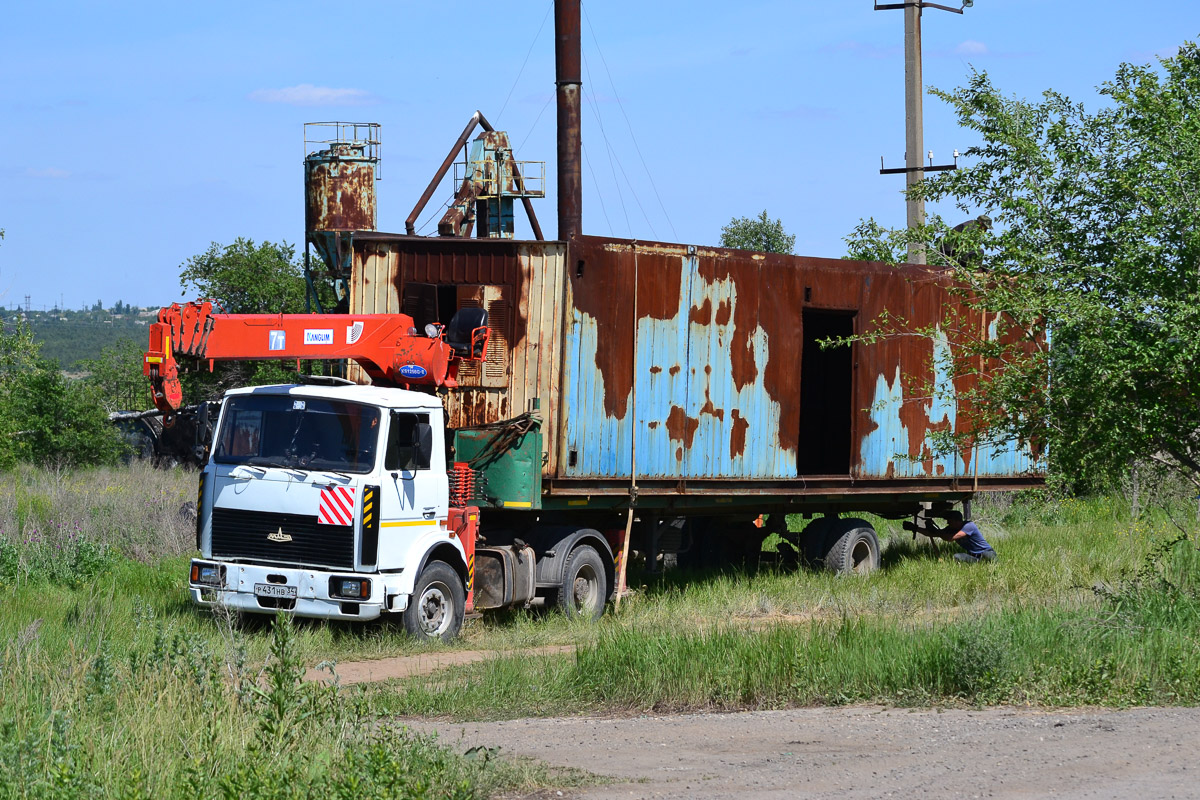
865	753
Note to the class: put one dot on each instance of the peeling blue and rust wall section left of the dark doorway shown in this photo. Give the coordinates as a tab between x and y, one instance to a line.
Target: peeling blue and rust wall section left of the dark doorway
699	378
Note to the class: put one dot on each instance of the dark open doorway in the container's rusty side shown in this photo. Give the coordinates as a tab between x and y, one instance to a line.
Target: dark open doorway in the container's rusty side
827	395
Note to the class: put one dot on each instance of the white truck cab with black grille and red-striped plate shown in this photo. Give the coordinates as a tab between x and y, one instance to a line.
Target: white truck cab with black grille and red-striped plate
333	502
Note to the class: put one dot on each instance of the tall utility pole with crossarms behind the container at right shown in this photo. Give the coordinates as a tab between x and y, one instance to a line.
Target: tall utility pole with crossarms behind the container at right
914	105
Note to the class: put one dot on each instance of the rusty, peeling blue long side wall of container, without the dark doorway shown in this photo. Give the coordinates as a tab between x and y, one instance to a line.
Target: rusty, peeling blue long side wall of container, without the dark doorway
710	375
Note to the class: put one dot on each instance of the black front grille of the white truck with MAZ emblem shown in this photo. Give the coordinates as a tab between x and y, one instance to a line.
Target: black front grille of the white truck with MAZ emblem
244	536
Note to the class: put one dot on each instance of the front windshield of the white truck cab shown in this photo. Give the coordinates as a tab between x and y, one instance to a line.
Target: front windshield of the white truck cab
298	434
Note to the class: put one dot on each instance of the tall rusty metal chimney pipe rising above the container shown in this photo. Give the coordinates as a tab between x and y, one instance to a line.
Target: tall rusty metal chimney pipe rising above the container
571	146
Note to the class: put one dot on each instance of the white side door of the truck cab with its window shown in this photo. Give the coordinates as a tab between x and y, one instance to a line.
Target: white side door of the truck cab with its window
415	486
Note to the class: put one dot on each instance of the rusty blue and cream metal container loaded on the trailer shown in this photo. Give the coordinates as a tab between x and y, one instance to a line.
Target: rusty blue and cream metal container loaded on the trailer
697	371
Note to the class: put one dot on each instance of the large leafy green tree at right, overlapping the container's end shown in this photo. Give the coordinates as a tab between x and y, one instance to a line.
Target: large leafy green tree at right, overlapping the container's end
1096	240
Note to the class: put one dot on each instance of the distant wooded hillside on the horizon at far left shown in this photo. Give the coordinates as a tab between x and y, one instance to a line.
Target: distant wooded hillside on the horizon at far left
74	336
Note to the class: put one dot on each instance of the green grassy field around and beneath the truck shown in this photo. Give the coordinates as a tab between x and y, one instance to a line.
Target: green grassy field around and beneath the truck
113	685
